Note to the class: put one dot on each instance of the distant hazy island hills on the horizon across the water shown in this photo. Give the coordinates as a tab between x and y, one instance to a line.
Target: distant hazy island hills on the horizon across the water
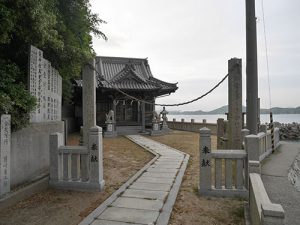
224	109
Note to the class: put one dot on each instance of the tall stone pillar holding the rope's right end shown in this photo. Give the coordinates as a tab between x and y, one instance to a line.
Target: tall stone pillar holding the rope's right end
234	103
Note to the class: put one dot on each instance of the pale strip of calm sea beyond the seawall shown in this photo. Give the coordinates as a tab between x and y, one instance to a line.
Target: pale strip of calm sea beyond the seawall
264	118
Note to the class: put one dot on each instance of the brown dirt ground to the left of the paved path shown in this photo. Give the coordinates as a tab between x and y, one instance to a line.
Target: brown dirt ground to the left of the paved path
122	159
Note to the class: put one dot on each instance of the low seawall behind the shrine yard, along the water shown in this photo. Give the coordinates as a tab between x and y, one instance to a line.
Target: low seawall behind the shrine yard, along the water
194	127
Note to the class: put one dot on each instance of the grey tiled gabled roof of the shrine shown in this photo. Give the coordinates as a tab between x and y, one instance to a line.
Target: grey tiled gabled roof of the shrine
131	74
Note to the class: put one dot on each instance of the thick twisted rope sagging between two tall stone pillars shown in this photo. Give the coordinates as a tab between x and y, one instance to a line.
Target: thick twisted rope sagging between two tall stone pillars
152	103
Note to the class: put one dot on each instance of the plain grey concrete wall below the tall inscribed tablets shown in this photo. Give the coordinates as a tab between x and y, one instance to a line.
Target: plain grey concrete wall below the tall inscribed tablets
30	151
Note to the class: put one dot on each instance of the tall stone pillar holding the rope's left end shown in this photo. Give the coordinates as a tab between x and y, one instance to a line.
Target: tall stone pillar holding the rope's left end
88	99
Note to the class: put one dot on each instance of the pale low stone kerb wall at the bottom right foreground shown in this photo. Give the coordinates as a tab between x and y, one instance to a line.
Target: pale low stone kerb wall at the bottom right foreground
262	211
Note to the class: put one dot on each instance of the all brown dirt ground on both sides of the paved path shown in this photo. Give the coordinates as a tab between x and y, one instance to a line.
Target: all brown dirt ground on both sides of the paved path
122	159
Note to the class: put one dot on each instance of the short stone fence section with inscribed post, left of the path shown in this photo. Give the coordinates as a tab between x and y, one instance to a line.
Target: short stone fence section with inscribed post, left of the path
77	167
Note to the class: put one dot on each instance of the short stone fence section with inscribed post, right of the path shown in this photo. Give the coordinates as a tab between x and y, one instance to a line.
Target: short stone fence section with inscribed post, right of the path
231	182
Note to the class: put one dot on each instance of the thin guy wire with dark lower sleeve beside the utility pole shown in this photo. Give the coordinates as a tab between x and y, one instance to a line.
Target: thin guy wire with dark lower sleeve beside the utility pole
268	71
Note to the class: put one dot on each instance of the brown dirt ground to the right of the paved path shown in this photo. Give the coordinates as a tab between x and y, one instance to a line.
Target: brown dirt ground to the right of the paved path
190	208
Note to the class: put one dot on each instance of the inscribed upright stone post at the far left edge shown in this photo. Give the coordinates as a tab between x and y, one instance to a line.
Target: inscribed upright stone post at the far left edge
5	149
